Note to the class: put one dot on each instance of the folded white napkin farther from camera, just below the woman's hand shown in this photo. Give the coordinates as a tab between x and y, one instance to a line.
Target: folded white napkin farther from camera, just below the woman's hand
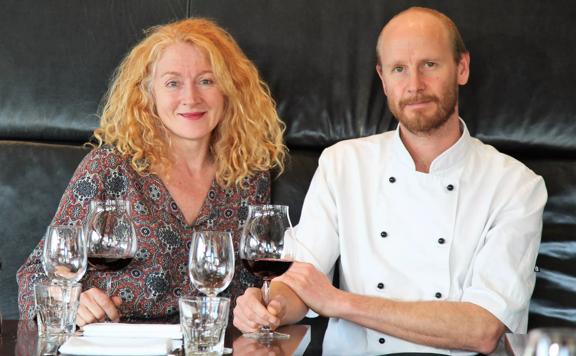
167	331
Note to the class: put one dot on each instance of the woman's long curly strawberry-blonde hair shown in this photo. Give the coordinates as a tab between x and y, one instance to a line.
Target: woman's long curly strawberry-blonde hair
247	140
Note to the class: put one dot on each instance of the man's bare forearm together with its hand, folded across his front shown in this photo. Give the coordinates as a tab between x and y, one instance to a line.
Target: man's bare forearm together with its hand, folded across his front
450	325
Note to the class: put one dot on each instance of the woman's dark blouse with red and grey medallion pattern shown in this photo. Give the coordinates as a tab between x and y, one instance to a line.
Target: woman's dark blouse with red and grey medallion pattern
157	276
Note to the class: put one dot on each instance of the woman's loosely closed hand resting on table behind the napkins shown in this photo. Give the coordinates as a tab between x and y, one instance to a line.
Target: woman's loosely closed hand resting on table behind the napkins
95	306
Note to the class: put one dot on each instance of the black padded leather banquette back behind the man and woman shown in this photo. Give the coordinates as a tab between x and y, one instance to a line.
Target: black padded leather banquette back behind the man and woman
318	57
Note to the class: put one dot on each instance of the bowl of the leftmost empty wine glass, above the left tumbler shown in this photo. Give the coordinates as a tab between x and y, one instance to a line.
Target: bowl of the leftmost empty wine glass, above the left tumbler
65	251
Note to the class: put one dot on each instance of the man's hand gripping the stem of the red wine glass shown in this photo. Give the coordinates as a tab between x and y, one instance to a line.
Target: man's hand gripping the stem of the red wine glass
250	313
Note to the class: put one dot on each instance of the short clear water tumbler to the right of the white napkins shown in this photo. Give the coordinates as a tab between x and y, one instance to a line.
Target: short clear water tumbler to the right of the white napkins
203	321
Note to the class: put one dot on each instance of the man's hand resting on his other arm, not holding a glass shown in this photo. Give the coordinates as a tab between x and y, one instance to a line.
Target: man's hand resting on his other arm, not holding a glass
313	287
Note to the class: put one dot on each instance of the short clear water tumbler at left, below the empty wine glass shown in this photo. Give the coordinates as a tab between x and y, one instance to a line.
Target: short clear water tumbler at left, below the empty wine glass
56	307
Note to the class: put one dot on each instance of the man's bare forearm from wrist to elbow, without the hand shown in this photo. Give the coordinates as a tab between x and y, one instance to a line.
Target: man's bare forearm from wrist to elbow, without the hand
450	325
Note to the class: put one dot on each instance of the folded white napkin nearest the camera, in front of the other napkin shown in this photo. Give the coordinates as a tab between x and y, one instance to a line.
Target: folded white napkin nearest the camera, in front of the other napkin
81	345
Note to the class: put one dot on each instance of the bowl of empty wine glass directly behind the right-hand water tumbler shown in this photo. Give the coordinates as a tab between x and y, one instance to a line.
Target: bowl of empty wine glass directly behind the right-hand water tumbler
211	261
